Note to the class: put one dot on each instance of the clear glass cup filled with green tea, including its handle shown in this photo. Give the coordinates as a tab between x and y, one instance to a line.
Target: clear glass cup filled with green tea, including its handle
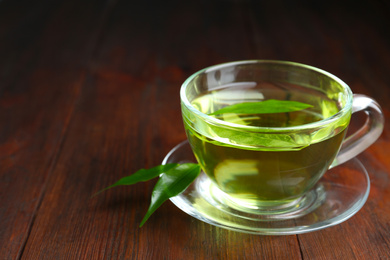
265	132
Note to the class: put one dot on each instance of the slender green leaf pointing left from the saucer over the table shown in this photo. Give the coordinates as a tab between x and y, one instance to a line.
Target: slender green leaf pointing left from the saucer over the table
142	175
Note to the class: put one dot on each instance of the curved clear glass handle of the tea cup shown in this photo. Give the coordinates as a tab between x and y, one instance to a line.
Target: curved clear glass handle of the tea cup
367	134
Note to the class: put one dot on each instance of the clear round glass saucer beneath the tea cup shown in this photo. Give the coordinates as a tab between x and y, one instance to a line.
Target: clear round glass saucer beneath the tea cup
340	193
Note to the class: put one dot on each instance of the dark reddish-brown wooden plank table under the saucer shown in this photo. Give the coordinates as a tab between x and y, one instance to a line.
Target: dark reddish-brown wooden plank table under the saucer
89	93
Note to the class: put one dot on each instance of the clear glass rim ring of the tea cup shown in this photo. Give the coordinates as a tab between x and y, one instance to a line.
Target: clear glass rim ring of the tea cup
219	122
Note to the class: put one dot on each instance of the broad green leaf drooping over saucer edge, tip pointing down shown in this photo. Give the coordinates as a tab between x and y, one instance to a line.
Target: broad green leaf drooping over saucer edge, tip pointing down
170	184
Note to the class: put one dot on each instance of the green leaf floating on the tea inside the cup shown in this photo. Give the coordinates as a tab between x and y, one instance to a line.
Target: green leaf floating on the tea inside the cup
269	106
